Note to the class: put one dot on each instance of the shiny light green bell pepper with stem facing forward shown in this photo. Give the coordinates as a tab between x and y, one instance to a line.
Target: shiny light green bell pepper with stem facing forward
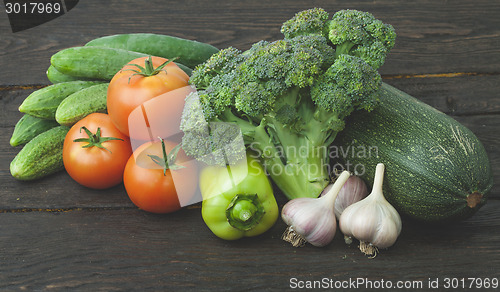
238	200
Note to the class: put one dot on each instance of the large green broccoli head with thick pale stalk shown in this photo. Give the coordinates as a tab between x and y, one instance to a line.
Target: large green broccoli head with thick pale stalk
289	99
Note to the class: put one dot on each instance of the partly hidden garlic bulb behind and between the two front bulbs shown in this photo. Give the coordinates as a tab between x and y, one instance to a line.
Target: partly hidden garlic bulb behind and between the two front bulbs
354	190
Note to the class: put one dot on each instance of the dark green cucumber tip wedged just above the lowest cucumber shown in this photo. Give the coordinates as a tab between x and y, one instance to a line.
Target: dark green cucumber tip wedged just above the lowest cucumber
28	127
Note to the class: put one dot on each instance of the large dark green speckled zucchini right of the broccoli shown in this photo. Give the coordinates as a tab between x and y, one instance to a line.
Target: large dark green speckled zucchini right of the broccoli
436	169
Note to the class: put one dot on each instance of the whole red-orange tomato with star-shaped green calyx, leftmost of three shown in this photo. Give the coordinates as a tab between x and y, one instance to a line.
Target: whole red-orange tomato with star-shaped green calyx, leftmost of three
98	157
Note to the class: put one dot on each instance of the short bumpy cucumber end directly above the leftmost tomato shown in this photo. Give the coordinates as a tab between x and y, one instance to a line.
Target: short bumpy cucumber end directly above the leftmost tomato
82	103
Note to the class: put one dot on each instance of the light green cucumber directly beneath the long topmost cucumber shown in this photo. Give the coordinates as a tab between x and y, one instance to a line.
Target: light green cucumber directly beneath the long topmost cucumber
96	62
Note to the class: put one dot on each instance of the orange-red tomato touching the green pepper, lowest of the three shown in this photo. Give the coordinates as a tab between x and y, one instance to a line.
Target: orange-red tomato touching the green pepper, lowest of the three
151	187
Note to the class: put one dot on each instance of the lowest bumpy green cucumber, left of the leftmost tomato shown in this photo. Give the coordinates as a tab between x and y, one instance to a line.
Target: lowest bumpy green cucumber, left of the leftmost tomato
41	156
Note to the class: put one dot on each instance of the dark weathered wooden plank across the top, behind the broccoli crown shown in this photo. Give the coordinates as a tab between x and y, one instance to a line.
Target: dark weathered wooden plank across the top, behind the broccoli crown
433	36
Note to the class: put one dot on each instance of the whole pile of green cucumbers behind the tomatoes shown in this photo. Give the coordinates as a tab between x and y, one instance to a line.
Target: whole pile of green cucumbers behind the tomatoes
80	77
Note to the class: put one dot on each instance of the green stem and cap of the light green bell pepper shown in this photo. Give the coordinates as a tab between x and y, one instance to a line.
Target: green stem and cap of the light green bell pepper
244	211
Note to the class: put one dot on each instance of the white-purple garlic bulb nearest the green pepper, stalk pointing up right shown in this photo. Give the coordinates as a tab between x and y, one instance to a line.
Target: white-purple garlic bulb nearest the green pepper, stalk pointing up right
312	219
